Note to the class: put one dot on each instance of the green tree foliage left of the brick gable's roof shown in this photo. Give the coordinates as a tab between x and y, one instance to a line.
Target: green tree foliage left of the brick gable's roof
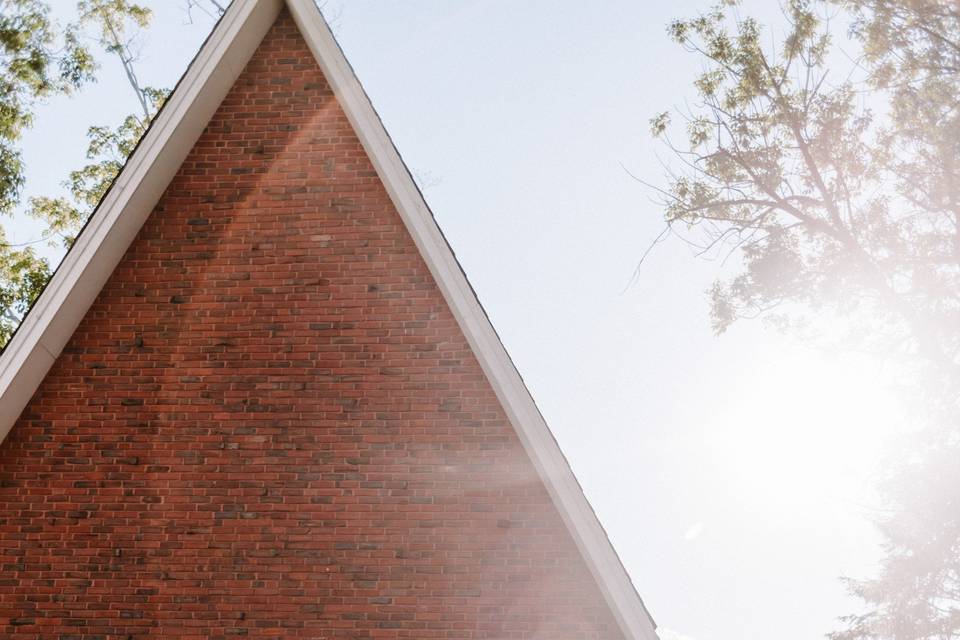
115	26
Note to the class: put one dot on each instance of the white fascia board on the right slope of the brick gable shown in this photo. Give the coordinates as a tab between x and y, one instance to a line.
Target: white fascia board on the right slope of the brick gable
538	441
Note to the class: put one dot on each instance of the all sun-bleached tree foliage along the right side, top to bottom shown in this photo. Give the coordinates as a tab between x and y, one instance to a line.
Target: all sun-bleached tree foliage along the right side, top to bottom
839	193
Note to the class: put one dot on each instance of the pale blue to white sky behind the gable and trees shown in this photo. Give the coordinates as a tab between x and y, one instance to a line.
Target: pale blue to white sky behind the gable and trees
733	473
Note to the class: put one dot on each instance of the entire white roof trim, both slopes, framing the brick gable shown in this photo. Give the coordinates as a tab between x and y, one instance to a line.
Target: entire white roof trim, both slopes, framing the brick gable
85	270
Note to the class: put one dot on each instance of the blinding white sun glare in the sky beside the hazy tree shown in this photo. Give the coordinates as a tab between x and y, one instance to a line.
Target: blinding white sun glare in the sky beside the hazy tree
814	429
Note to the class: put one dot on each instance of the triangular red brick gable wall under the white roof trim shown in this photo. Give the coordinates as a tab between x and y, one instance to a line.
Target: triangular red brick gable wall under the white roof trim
269	425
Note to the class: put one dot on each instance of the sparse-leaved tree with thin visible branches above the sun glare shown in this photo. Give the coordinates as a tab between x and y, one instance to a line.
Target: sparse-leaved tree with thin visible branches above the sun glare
827	206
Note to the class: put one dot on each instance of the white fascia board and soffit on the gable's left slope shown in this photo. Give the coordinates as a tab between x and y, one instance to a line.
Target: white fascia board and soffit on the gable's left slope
135	192
